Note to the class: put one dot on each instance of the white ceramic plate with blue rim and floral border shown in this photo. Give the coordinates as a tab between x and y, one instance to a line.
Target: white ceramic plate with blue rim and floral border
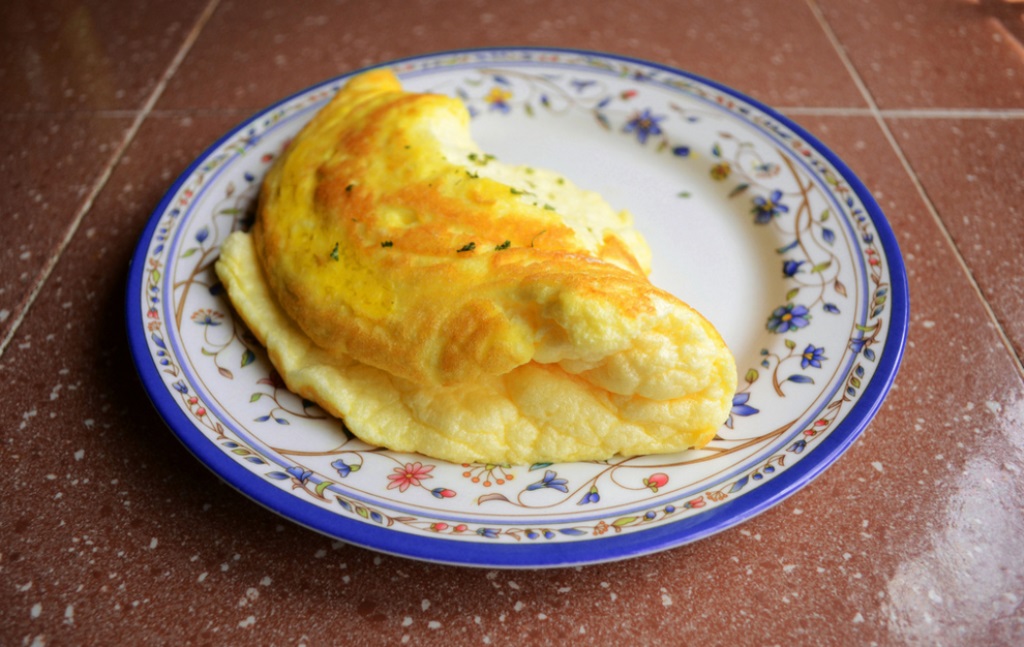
751	221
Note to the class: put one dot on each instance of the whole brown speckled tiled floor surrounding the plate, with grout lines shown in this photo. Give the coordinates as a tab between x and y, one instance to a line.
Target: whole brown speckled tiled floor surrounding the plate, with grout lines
111	533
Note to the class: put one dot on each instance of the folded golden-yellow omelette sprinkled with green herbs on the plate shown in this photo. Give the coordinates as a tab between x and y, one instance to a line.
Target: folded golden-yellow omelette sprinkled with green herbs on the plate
442	303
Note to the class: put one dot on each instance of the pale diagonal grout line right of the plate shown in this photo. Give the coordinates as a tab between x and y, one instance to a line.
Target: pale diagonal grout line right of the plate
906	163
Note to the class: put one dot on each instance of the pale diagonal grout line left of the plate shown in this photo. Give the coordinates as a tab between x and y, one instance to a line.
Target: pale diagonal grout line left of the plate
105	178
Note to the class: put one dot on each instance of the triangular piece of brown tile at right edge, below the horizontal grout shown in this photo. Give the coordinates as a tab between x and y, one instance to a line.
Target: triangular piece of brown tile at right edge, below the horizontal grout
972	170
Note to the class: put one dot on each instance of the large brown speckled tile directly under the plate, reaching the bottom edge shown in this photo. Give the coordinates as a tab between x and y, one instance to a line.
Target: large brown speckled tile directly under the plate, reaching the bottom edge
155	549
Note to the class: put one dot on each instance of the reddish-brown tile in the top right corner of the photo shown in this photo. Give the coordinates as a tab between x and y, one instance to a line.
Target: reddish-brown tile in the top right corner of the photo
923	54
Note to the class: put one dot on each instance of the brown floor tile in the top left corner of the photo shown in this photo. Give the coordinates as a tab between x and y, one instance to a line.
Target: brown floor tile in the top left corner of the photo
64	56
